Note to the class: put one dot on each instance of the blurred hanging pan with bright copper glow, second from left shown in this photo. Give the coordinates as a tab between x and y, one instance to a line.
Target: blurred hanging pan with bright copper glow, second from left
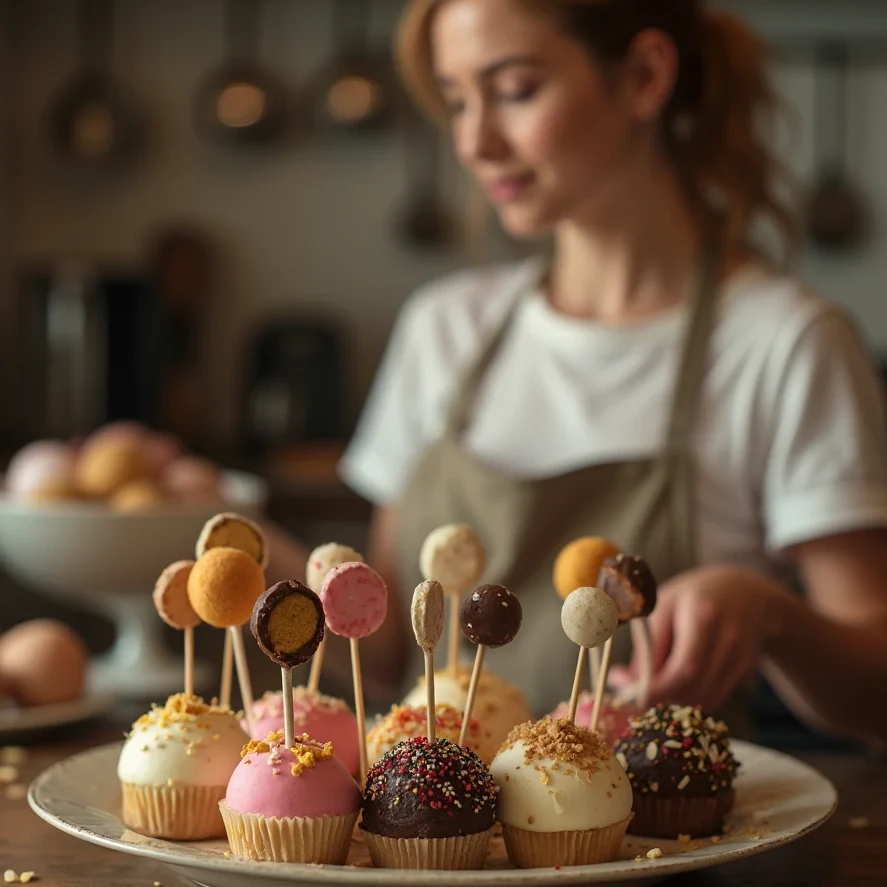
240	103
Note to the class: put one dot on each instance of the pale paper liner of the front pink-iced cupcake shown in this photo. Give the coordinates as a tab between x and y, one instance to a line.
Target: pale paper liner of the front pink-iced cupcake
310	839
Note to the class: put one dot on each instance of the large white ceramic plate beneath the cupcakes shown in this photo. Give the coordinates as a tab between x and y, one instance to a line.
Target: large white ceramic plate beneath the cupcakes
779	799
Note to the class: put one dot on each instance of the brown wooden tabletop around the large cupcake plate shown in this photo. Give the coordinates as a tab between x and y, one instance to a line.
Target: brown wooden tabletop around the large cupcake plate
849	851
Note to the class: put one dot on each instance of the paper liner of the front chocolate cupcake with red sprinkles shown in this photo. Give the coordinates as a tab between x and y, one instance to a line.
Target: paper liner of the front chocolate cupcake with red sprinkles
448	854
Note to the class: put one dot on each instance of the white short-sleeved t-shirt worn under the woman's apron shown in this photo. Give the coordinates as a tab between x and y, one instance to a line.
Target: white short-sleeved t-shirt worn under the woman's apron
790	437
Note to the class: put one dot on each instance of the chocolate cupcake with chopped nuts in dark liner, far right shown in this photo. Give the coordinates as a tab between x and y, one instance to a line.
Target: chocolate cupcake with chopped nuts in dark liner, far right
681	768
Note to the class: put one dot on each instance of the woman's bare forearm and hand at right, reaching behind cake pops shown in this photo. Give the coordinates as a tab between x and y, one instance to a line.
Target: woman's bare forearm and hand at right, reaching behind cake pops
826	655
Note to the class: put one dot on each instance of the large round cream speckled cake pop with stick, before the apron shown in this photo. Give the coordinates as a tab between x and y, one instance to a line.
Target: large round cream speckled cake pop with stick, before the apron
455	557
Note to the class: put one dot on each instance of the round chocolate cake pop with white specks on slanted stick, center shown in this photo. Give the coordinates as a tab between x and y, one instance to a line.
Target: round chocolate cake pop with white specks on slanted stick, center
490	617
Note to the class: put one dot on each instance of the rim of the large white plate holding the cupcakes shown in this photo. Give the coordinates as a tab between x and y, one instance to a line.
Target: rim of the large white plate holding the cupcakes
664	867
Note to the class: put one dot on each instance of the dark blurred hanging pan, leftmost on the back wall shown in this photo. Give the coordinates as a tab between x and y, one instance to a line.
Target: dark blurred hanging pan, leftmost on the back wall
90	123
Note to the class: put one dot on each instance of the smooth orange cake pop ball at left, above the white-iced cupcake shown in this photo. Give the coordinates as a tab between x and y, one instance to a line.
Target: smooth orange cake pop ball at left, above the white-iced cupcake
224	586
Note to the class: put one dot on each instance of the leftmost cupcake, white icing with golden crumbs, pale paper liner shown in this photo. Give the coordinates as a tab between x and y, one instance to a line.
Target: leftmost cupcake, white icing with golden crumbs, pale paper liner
175	766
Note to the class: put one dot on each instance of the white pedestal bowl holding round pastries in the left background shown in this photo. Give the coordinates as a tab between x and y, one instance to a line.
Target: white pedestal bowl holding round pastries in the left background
108	561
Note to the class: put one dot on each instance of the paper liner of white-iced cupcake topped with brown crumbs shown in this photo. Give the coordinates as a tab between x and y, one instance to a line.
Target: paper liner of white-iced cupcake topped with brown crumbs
530	850
